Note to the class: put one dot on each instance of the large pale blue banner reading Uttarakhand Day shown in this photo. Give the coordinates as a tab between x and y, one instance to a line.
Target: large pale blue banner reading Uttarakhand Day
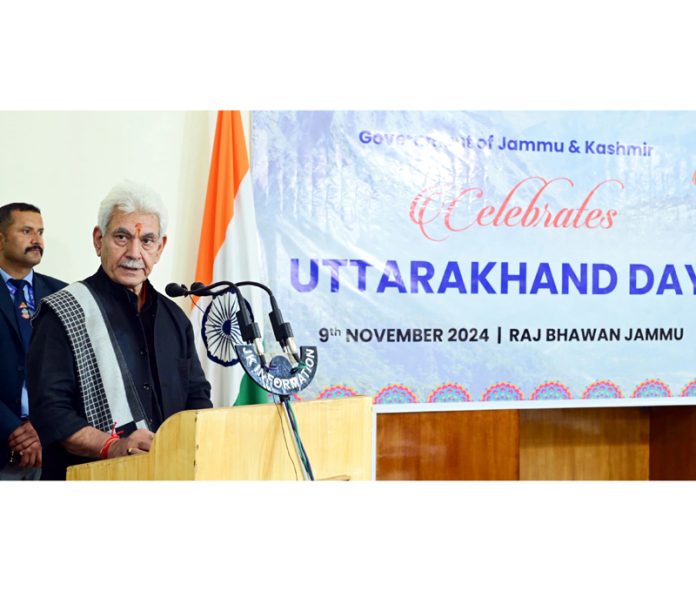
485	256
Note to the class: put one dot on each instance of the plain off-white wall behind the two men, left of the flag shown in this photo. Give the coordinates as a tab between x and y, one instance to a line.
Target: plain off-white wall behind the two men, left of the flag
66	162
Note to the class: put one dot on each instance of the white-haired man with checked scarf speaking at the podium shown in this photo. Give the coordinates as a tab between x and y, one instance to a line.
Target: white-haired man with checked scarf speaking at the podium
111	358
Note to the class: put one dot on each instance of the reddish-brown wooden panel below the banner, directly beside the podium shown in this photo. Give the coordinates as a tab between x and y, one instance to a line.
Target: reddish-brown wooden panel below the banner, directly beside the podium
448	445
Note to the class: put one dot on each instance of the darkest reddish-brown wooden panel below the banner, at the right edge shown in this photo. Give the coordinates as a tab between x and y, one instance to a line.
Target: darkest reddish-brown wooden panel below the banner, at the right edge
673	443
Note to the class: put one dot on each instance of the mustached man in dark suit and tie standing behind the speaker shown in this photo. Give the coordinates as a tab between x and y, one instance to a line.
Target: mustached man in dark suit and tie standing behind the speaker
21	290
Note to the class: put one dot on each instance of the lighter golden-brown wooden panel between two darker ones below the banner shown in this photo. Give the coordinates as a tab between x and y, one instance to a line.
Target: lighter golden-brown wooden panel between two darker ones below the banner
585	444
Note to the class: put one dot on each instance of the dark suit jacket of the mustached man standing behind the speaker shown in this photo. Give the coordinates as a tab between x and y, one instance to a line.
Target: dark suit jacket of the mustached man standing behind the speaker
12	358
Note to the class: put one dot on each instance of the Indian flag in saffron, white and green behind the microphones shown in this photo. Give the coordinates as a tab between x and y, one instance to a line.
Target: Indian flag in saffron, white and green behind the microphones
229	250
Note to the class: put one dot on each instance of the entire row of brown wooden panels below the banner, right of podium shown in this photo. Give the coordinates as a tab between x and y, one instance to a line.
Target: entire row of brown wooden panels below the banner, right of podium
625	443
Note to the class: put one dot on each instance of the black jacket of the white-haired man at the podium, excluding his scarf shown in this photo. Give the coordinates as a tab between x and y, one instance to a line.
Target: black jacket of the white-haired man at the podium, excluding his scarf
158	347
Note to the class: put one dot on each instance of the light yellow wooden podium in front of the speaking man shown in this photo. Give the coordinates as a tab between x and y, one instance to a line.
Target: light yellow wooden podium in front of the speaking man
251	443
